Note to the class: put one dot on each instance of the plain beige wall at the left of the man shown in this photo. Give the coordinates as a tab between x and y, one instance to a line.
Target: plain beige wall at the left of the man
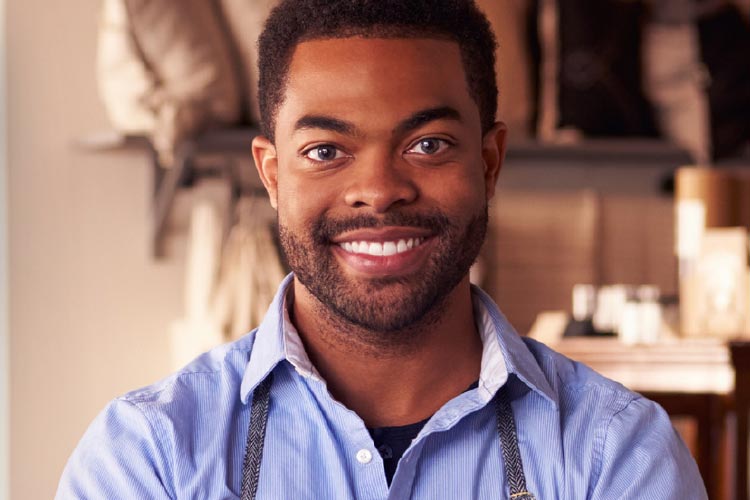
89	307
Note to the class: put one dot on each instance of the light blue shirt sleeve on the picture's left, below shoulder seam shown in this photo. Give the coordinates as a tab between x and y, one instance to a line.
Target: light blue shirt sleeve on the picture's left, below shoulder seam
117	458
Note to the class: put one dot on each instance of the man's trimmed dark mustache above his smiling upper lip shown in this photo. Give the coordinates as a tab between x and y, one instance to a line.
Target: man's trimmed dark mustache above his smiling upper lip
327	228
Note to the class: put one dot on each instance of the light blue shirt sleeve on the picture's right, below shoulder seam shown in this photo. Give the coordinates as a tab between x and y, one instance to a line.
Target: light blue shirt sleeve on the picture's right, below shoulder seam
644	457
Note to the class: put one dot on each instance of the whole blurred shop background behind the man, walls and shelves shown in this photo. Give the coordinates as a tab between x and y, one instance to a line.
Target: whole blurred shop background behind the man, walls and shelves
134	233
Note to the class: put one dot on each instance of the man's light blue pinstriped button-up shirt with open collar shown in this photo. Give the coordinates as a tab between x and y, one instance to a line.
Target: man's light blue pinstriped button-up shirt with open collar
580	435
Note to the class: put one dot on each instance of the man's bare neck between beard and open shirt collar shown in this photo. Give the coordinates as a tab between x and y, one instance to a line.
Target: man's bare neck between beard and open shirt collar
393	378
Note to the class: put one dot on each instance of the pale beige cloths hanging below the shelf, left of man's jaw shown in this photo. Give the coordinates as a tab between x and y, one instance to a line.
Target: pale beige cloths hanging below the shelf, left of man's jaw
228	286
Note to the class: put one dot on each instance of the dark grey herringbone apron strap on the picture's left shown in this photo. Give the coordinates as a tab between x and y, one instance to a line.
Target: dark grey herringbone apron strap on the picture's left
256	435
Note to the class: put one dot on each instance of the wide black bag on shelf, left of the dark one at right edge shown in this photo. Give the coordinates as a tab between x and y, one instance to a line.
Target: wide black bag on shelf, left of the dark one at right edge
600	70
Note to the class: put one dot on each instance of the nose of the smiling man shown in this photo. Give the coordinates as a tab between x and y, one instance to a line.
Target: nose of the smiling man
380	184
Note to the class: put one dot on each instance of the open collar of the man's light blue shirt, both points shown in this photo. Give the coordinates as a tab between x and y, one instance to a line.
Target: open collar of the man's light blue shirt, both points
504	352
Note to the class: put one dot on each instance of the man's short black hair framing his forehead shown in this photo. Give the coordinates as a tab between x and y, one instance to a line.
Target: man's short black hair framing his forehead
295	21
